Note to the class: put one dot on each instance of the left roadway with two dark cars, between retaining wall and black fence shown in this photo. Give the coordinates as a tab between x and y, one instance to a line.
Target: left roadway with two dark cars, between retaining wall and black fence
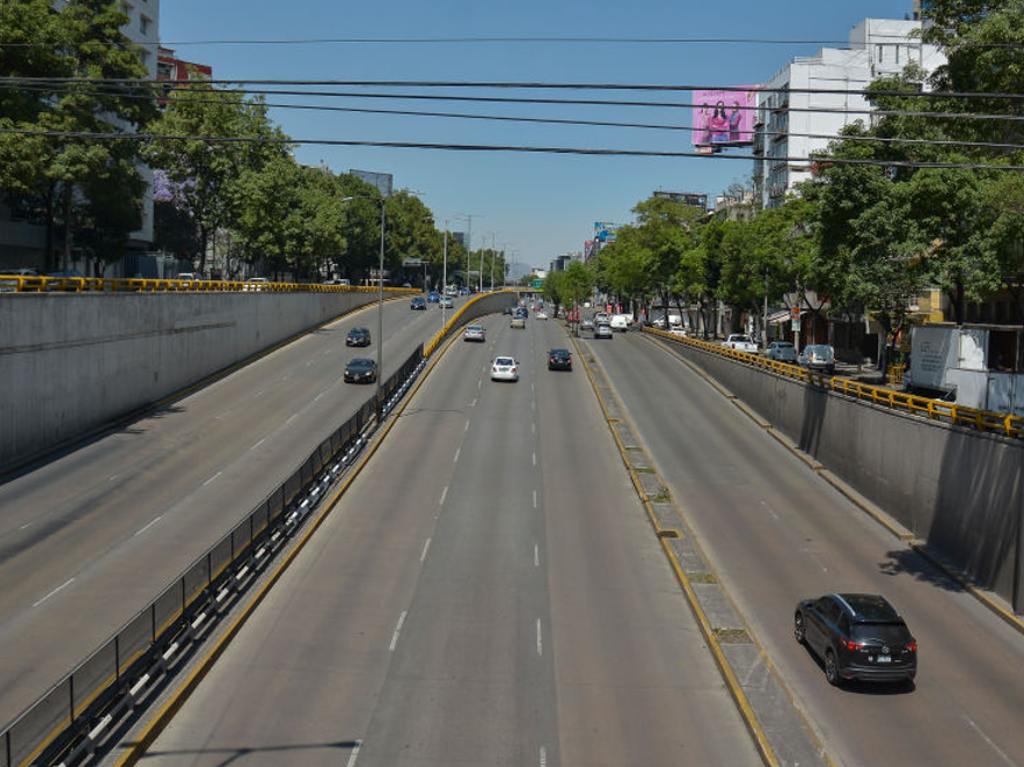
89	539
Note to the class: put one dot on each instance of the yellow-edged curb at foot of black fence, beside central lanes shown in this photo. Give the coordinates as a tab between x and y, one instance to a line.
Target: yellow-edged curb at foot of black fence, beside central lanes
152	730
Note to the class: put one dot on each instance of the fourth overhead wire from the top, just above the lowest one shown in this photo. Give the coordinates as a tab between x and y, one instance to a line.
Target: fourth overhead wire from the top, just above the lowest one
607	124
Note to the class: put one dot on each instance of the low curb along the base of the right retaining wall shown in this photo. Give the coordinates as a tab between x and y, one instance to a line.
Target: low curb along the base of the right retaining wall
875	513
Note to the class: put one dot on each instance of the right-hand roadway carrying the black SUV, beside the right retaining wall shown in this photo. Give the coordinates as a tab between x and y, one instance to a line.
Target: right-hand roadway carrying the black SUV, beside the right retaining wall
777	533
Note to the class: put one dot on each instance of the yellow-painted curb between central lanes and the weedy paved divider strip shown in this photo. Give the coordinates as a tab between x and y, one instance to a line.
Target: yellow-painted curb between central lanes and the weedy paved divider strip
764	748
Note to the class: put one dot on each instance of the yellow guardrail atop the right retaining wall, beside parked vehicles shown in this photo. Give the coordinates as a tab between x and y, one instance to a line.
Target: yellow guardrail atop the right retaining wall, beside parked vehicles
1006	424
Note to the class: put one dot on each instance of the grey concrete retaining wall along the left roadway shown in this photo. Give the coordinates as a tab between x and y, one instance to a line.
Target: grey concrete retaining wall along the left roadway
72	362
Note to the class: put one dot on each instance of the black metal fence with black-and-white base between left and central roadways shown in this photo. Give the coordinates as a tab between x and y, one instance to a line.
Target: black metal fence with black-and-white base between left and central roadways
84	707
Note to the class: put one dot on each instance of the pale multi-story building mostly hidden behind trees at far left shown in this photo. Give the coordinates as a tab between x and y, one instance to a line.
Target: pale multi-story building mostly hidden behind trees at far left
23	237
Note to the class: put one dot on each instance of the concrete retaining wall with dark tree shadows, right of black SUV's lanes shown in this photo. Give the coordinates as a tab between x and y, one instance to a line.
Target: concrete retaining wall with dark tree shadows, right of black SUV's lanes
961	491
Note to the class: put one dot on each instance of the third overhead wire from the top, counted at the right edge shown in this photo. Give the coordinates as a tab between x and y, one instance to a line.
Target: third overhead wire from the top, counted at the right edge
572	102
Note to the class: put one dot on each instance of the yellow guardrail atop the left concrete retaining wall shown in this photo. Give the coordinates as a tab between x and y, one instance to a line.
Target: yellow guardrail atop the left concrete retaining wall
20	284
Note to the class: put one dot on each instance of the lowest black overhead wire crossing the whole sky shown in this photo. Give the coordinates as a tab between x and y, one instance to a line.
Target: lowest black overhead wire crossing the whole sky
475	148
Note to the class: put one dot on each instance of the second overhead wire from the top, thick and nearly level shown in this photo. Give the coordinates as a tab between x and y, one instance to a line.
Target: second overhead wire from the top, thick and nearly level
506	86
